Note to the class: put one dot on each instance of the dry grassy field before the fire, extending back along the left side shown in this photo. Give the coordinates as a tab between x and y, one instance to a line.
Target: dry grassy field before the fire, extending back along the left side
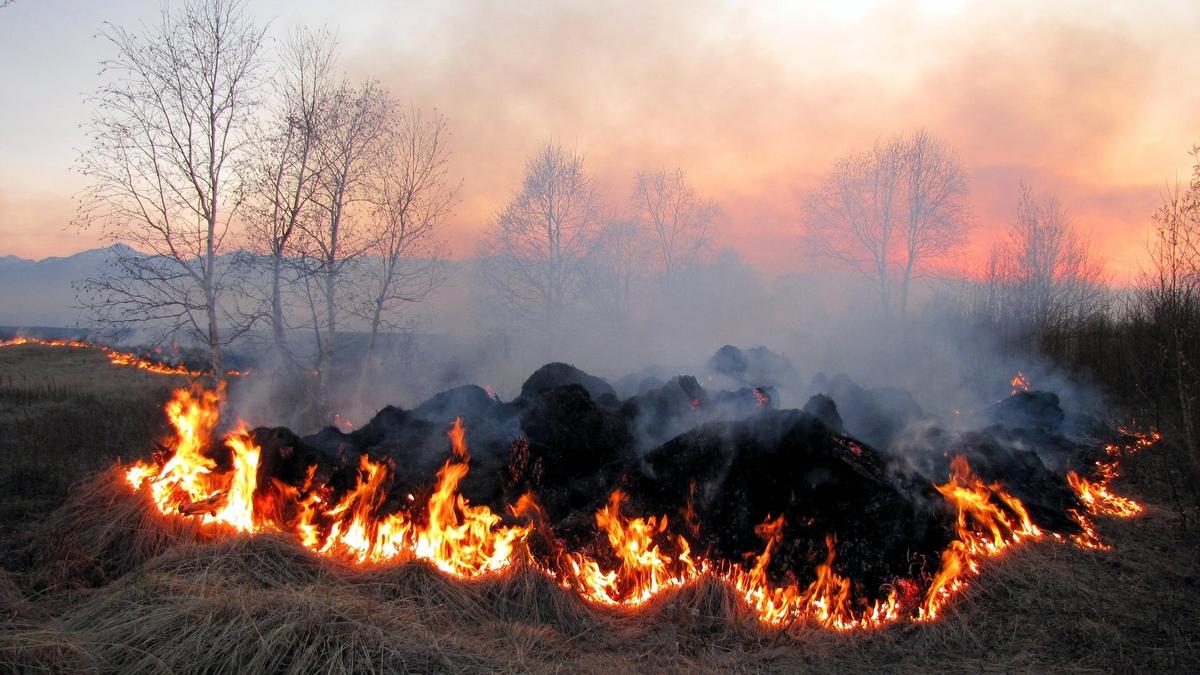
94	583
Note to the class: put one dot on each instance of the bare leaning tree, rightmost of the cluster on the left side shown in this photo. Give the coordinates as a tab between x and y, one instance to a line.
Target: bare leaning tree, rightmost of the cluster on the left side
412	199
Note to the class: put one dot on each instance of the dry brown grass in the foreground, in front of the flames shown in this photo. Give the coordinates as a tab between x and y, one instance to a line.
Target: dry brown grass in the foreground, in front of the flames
109	583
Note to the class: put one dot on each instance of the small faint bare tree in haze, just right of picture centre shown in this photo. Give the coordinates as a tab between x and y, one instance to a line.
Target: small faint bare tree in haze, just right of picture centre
679	220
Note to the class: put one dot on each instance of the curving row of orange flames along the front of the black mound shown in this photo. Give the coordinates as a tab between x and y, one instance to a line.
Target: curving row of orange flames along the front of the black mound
638	559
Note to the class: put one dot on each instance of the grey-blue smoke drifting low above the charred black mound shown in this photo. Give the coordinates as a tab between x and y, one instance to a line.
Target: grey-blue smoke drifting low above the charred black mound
821	333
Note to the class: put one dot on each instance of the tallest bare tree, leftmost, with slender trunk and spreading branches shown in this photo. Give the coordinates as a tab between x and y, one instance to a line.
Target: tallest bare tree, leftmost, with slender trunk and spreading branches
169	130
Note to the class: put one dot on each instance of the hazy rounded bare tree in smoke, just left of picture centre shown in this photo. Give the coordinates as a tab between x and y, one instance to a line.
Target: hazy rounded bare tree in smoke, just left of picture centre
535	254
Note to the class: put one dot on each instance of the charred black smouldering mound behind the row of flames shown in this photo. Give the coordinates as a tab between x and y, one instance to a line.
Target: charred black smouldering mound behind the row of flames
716	463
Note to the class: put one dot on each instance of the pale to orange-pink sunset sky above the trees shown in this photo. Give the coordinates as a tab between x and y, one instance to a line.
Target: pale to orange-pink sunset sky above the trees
1093	103
